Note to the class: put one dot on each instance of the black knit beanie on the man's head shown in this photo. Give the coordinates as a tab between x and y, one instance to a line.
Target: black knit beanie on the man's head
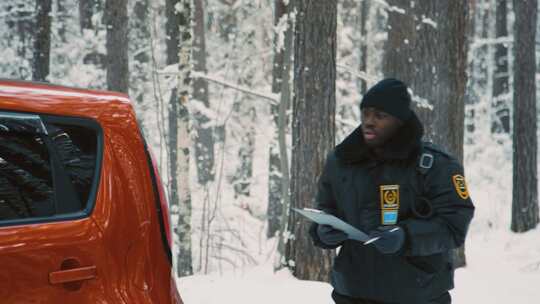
390	96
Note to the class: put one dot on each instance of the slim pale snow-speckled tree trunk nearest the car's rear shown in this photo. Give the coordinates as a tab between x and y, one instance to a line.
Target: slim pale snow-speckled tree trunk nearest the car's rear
179	50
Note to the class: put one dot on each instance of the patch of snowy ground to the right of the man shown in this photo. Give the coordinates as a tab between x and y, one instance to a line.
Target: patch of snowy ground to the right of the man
503	268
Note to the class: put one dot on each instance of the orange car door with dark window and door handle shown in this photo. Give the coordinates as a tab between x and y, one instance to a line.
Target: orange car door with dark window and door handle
51	250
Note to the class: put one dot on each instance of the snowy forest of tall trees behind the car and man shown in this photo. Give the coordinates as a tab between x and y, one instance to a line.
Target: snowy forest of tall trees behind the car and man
242	99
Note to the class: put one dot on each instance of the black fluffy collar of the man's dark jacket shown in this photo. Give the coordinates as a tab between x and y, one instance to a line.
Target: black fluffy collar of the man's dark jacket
405	145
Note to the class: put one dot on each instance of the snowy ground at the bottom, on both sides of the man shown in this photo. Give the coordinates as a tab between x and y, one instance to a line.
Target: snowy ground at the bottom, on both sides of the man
503	268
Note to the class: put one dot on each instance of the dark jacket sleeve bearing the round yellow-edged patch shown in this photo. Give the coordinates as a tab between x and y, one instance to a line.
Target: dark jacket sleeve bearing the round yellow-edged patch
452	207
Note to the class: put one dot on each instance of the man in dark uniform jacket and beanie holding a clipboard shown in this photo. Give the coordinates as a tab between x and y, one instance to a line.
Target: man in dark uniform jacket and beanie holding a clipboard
412	195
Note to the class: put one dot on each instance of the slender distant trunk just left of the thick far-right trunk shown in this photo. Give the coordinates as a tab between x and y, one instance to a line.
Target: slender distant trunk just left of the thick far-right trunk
500	112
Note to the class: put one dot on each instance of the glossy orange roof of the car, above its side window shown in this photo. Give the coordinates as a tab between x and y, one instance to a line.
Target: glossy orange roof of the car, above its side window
28	96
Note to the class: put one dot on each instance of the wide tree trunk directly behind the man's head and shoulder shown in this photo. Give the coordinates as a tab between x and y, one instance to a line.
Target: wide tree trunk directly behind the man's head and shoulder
429	39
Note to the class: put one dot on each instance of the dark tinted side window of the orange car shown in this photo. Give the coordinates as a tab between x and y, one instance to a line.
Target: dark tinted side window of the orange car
47	166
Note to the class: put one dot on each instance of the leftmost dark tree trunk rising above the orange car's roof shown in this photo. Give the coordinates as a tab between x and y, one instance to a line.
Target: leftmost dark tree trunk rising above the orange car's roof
42	41
